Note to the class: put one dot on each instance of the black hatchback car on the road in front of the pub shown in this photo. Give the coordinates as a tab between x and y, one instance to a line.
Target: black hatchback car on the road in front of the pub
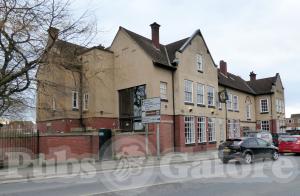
246	150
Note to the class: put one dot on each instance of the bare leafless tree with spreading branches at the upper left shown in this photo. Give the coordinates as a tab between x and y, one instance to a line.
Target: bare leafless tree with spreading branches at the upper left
24	43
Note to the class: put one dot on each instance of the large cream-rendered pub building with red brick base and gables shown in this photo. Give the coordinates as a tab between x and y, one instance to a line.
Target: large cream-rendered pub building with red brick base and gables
92	88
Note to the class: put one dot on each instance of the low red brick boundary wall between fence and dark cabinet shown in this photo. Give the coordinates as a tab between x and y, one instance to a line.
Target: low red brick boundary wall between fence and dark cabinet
71	146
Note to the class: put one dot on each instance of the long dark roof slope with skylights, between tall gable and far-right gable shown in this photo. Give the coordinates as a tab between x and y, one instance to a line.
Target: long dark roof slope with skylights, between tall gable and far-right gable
234	82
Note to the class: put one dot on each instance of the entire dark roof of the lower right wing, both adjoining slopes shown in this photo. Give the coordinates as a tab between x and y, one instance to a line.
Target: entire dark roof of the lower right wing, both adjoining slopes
256	87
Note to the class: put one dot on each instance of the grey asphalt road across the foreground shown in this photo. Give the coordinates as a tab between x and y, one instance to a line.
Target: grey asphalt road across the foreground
208	177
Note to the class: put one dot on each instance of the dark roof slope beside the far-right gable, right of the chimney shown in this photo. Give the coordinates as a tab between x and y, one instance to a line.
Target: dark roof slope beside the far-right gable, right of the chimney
263	86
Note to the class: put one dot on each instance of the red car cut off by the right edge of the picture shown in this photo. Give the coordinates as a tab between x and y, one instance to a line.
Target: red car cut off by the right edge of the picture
289	144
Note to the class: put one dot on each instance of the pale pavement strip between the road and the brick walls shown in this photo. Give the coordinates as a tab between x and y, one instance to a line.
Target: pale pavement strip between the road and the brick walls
38	172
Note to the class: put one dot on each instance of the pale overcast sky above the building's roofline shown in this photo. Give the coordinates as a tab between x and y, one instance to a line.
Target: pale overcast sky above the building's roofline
251	35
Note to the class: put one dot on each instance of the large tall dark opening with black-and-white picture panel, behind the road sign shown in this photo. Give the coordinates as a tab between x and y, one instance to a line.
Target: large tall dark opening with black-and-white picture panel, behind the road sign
130	108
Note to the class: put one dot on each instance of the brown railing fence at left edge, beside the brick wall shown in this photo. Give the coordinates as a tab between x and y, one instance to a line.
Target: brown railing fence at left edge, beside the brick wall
14	141
